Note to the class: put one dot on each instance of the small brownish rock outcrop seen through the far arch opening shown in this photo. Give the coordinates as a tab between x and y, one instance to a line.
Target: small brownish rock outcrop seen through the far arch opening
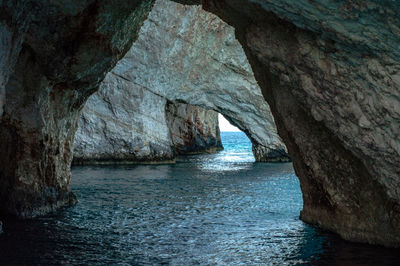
193	129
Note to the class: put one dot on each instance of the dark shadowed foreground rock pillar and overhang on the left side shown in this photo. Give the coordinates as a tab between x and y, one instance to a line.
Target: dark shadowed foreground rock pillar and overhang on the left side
53	56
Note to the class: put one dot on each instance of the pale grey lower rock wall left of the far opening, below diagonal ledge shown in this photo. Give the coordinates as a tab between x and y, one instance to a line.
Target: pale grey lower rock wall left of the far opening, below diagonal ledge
120	124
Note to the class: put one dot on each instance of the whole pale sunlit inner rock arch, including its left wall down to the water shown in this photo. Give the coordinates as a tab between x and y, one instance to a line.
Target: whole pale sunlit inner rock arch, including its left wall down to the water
173	61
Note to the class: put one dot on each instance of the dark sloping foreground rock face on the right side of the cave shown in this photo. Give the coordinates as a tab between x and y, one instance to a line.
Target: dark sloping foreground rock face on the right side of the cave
330	73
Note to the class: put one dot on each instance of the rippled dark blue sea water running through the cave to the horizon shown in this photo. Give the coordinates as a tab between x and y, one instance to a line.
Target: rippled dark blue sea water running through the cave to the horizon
218	209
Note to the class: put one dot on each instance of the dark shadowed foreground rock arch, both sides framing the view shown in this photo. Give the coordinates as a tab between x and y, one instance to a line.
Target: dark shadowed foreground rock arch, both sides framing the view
329	71
